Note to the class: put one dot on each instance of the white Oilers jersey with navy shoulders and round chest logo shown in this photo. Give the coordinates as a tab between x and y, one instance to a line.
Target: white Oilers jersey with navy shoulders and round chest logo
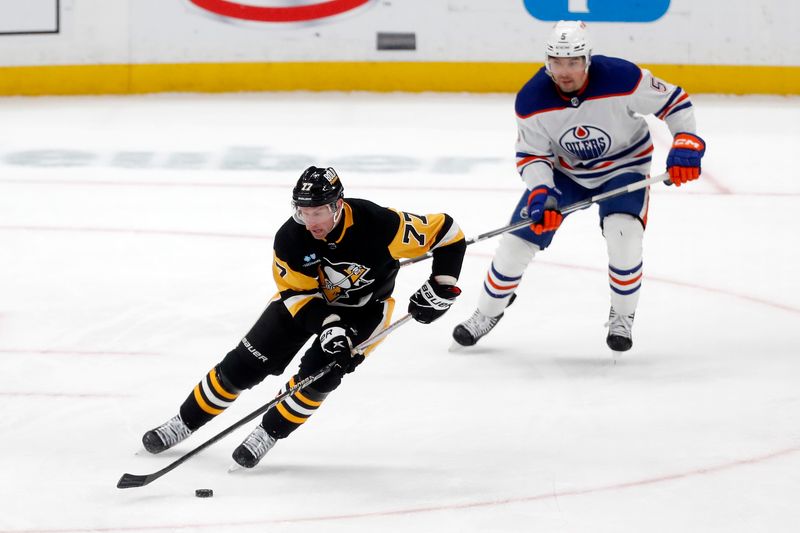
599	132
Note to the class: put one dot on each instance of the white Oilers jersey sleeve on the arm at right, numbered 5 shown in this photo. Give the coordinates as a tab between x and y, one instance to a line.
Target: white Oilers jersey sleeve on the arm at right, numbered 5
668	102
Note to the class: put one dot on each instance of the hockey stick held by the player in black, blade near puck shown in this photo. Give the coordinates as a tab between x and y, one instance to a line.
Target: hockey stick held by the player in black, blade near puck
133	480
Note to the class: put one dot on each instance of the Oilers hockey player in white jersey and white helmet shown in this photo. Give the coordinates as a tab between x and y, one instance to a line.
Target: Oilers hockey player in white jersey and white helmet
581	133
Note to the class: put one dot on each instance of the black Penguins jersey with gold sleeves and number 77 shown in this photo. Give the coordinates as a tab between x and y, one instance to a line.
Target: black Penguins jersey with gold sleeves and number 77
358	261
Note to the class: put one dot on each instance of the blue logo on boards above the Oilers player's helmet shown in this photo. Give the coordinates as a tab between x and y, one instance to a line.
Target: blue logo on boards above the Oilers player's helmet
598	10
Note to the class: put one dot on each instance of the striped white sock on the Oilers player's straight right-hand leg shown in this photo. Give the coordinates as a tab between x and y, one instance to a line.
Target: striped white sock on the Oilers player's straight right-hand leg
624	234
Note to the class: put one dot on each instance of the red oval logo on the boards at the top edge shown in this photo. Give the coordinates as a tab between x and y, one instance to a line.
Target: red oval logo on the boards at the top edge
291	13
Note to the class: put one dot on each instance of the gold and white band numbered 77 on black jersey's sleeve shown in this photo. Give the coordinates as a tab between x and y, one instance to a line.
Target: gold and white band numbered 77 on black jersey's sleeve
418	234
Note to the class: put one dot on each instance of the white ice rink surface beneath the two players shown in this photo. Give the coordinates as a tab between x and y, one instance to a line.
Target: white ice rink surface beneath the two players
135	249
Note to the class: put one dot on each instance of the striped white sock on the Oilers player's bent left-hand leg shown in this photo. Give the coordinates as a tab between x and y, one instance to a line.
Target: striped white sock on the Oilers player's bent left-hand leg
509	263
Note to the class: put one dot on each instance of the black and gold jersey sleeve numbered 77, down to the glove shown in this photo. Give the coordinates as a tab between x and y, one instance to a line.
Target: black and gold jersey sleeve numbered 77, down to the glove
437	233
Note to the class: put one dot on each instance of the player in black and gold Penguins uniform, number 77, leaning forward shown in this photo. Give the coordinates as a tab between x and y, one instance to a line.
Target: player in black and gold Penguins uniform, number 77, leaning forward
335	263
